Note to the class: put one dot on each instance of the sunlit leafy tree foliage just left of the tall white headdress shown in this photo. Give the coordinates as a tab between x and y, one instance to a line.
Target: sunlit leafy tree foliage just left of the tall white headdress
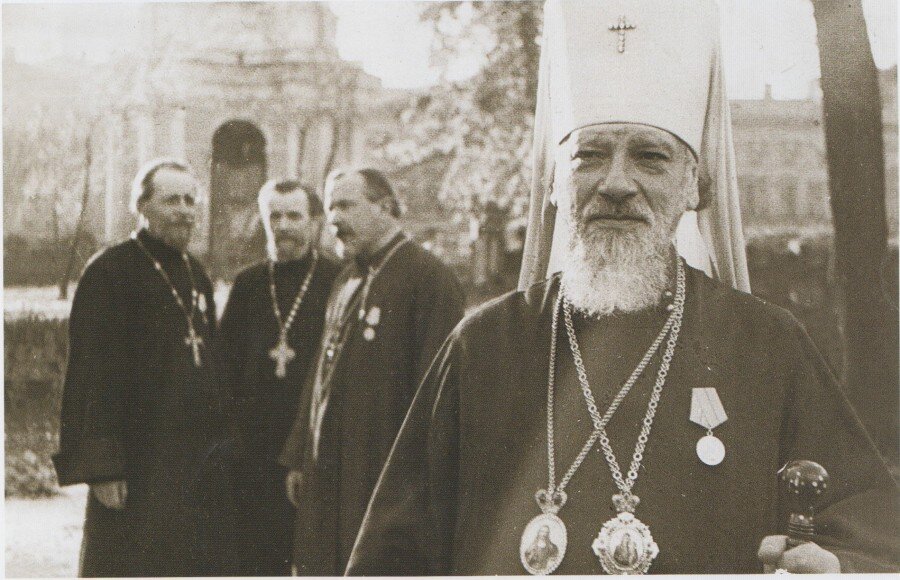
483	123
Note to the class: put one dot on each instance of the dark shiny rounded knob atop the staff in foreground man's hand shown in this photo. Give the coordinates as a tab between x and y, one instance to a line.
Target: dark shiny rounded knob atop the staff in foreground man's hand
805	482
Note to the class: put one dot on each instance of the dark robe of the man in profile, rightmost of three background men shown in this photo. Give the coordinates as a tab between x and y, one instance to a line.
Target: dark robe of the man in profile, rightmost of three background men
371	388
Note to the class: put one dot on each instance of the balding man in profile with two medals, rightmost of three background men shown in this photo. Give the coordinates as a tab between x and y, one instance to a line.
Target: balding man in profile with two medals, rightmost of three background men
389	312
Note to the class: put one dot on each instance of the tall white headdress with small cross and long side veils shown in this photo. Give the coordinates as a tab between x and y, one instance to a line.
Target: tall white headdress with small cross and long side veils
662	68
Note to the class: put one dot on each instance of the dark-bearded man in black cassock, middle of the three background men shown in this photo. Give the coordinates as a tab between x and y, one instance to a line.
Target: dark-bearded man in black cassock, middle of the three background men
267	338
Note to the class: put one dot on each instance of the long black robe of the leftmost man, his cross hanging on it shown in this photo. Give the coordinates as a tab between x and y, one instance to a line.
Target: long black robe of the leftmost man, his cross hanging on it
136	408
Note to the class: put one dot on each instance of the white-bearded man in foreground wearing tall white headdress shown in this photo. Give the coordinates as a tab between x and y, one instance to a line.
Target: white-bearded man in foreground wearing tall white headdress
629	410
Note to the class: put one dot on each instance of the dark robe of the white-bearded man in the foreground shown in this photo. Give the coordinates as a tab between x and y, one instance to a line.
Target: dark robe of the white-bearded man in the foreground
458	489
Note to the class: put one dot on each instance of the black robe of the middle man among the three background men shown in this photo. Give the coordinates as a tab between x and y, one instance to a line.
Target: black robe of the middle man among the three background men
261	406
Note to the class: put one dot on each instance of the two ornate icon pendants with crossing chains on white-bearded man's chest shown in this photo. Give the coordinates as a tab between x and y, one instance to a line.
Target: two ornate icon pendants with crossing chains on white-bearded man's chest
624	544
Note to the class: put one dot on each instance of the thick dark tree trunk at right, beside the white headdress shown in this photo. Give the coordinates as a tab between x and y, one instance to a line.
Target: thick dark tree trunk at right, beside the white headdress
854	145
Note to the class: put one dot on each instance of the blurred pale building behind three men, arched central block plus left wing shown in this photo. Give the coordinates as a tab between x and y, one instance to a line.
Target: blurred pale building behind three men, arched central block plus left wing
242	91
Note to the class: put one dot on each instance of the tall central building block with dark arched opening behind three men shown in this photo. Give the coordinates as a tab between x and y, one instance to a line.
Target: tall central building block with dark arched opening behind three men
244	92
